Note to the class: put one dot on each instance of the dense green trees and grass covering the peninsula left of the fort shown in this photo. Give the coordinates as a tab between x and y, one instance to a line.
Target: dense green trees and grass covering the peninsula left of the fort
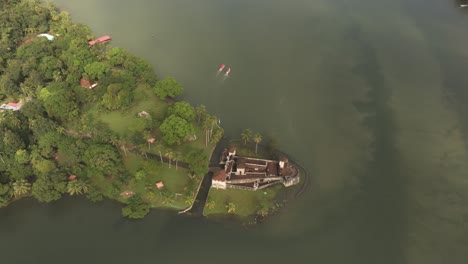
96	142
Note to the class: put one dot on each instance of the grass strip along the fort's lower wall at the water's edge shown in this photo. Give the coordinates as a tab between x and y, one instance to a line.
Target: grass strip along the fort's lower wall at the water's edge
247	202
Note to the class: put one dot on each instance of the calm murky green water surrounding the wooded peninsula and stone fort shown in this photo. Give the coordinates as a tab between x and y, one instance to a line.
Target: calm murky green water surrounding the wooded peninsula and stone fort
369	95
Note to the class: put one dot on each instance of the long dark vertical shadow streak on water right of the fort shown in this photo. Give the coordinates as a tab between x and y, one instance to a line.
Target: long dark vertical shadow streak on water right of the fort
381	204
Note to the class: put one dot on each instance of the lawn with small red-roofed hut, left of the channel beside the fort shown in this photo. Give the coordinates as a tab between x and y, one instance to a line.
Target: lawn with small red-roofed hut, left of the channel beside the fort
177	183
